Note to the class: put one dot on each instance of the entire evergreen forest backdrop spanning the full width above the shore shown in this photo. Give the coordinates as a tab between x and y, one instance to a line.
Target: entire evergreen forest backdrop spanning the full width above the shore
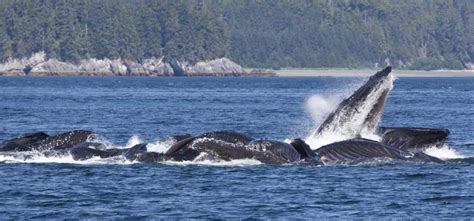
419	34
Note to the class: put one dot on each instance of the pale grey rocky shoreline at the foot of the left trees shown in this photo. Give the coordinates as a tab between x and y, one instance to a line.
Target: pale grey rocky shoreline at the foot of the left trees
39	65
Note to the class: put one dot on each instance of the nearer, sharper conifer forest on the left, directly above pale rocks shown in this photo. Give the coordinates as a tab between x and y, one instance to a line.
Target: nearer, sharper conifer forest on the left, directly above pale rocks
71	30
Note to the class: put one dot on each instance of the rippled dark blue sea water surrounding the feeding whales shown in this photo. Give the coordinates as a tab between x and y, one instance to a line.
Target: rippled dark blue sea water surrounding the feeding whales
119	108
